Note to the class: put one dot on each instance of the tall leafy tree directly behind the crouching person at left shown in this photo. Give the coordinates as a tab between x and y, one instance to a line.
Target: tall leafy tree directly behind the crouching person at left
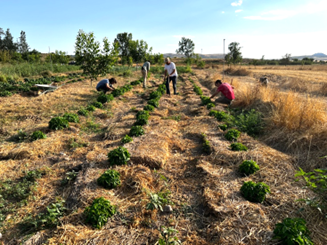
92	59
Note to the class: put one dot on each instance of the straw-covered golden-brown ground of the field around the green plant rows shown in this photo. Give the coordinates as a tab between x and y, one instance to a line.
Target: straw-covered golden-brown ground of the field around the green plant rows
170	159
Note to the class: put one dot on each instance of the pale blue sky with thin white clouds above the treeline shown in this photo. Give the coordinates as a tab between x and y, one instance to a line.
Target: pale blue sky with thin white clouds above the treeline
269	28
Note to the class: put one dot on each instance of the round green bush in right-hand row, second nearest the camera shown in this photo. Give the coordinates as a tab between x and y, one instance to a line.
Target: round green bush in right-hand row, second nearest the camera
255	192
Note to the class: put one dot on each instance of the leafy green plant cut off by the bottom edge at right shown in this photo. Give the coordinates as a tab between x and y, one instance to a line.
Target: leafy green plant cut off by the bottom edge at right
293	232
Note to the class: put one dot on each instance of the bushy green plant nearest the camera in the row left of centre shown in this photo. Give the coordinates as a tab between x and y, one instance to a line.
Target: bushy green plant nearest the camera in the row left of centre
98	213
